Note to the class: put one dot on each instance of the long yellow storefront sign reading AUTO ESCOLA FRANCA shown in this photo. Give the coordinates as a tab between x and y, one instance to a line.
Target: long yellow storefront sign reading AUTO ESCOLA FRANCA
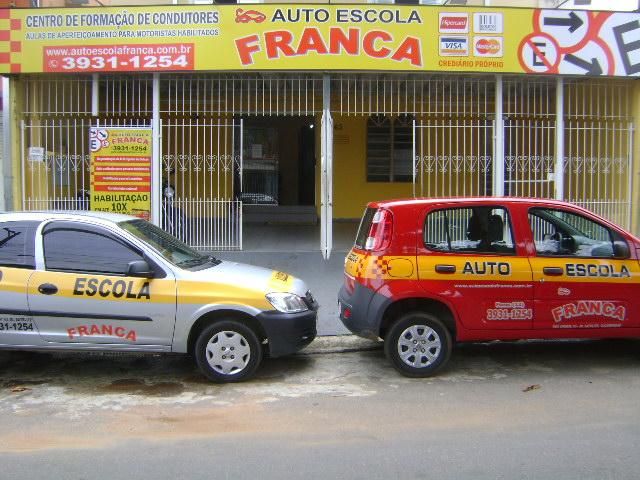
322	37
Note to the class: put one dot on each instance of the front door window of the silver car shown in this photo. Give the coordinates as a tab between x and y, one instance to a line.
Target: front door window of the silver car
71	247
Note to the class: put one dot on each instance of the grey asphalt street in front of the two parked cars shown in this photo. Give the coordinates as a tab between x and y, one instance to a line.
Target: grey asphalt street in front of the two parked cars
523	410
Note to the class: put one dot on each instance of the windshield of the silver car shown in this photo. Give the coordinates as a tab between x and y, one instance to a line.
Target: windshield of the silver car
171	249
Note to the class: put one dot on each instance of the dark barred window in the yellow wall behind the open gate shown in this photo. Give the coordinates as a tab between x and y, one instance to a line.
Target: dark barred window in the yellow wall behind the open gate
389	148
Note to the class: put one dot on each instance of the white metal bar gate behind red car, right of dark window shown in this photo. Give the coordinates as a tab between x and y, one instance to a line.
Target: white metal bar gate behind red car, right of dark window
571	141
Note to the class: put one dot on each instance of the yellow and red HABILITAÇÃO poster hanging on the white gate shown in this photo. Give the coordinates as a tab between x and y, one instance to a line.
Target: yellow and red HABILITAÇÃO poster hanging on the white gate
121	170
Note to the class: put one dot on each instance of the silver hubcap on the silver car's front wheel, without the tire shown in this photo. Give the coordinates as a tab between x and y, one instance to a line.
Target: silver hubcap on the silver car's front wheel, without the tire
228	352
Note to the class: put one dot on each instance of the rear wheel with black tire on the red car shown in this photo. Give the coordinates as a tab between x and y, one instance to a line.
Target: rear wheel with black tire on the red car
418	345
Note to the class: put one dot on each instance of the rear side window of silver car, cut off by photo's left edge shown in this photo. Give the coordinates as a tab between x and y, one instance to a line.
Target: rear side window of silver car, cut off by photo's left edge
17	244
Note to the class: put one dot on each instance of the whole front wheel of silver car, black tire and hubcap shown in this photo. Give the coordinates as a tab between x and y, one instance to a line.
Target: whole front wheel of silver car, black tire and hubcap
228	351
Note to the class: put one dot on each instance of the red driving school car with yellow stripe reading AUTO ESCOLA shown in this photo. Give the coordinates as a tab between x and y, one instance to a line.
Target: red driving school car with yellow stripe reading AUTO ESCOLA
424	273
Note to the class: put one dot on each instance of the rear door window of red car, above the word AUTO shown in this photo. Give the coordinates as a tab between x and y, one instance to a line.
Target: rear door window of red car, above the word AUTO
482	229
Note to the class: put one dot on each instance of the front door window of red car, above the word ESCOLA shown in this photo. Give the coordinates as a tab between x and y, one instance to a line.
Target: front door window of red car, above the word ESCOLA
561	233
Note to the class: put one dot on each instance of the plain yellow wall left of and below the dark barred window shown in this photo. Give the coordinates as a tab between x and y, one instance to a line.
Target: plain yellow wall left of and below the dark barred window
351	191
